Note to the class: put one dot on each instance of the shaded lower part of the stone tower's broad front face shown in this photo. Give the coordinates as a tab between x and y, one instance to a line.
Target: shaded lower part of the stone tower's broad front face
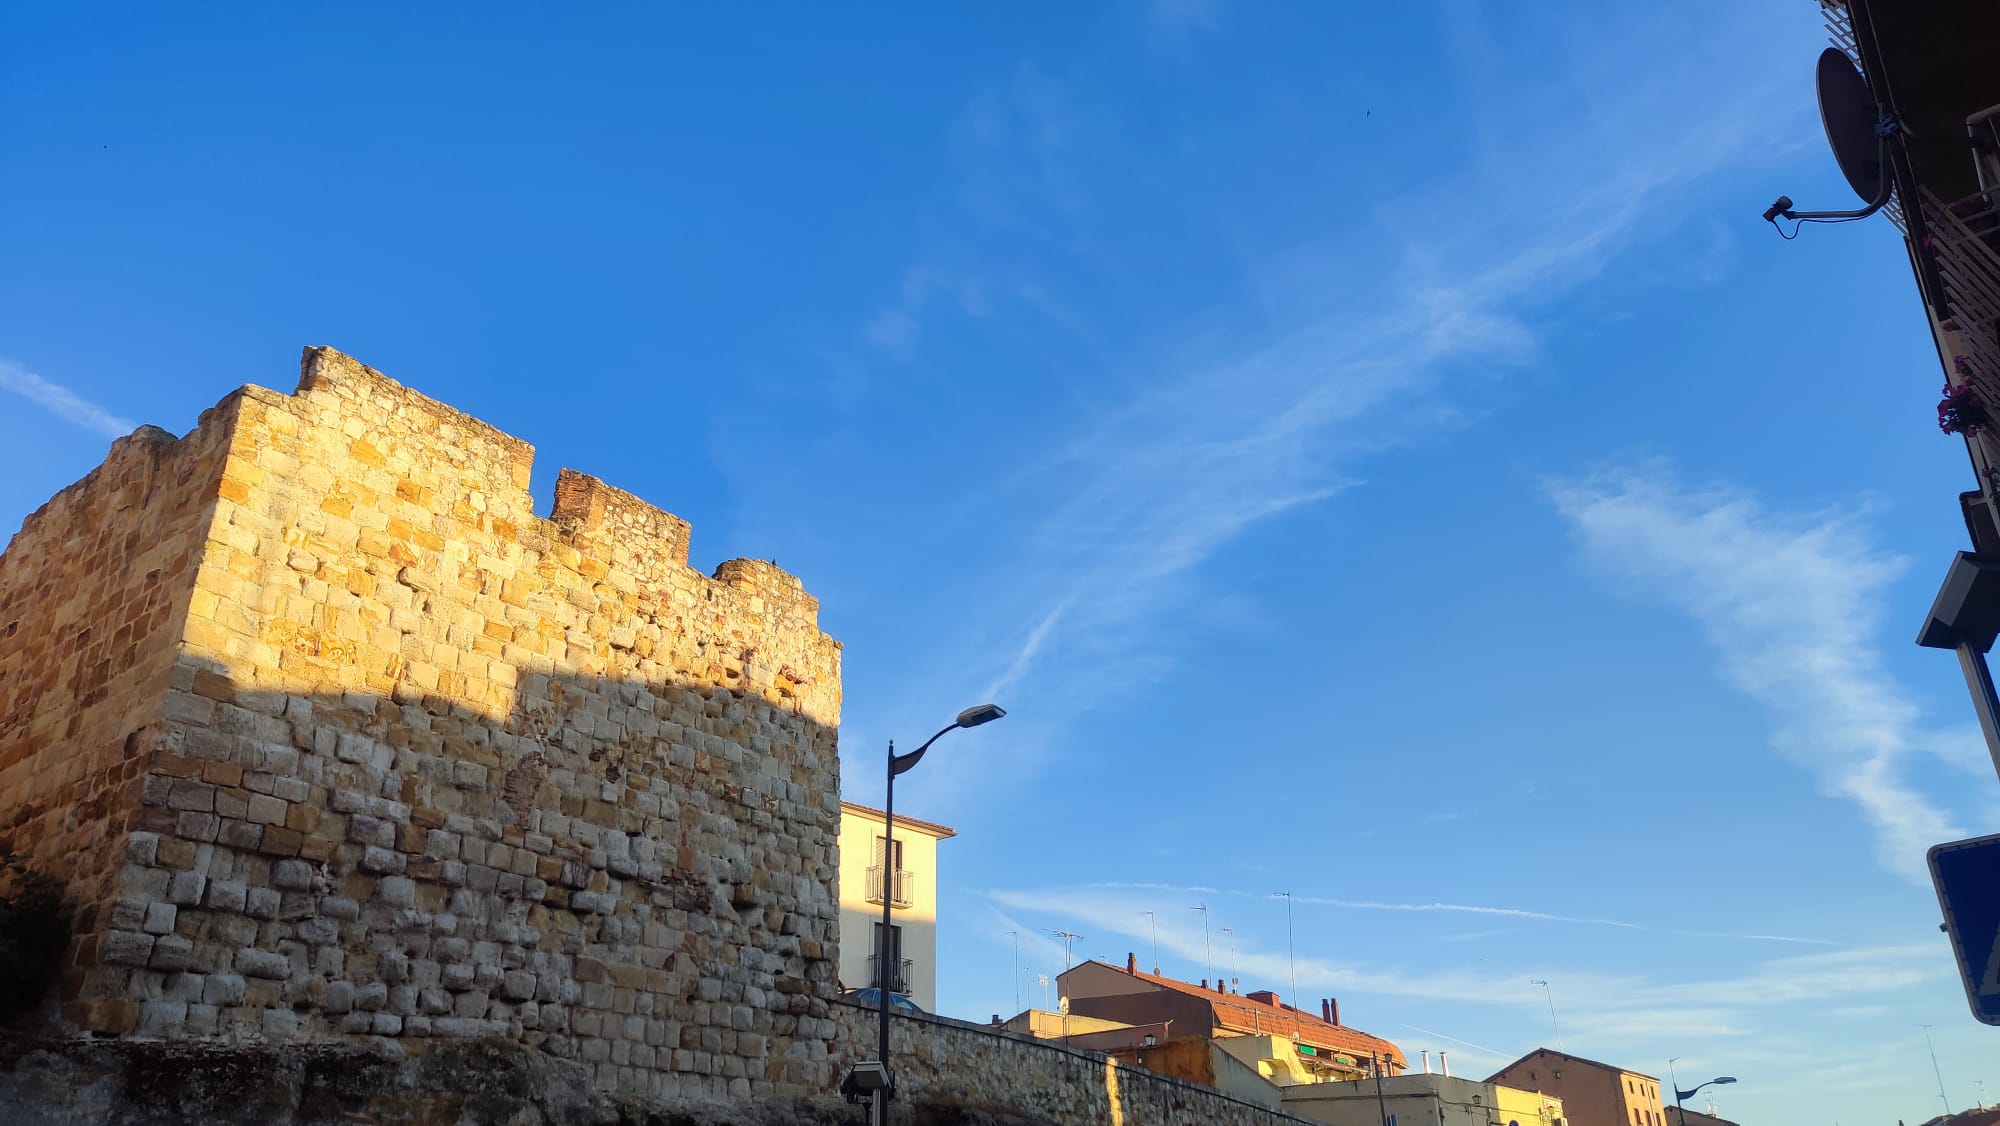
639	877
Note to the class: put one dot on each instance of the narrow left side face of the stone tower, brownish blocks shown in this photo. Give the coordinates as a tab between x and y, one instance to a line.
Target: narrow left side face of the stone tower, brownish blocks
93	591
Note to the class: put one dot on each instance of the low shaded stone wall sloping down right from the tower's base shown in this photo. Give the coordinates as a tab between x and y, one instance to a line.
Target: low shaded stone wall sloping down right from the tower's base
969	1067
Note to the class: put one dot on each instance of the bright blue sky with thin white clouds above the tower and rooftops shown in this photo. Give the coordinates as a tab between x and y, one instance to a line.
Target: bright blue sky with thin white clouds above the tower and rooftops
1371	453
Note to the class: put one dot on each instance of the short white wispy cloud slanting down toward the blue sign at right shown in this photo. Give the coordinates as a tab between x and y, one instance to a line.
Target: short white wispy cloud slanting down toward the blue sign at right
1793	607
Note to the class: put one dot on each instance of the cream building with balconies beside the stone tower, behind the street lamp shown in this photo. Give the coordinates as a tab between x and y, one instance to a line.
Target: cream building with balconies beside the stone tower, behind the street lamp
907	873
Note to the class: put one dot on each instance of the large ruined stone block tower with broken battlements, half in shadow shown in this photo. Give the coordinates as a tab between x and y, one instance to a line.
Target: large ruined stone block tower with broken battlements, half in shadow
335	739
